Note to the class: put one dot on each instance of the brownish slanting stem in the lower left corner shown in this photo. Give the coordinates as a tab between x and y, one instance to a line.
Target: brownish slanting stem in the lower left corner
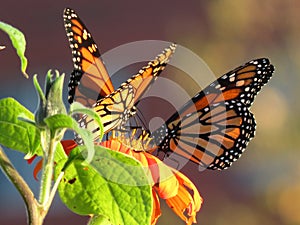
23	188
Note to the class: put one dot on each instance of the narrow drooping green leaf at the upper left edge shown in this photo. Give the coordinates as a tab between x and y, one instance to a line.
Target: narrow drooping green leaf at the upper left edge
18	40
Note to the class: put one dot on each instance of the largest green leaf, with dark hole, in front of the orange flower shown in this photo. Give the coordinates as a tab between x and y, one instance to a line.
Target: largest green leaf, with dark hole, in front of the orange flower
114	185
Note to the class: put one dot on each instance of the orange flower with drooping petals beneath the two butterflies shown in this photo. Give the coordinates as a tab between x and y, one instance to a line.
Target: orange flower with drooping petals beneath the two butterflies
167	183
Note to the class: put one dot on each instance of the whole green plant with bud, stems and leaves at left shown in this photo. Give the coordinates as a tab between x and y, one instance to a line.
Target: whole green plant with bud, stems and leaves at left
91	179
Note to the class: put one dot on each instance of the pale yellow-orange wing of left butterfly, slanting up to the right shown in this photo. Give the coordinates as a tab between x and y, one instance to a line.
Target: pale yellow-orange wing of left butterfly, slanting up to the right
117	108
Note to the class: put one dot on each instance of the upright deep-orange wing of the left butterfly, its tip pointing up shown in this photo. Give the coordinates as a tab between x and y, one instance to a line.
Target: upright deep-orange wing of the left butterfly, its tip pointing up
89	69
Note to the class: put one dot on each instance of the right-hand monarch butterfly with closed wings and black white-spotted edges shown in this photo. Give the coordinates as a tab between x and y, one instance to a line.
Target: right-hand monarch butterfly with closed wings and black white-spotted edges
215	126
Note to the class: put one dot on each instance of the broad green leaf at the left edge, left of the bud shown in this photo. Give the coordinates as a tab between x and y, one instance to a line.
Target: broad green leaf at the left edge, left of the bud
15	133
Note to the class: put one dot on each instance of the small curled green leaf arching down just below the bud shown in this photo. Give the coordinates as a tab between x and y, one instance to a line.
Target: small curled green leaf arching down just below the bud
62	121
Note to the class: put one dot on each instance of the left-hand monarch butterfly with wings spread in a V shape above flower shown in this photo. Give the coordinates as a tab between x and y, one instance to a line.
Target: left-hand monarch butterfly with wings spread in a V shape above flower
90	83
